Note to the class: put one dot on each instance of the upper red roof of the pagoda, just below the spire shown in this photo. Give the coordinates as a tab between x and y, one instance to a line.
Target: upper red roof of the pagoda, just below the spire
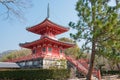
46	25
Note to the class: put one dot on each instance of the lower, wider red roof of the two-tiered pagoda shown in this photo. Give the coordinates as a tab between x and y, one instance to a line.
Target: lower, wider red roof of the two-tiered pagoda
46	40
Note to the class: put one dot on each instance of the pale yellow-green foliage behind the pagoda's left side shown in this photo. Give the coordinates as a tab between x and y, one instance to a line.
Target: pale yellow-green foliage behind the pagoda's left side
16	54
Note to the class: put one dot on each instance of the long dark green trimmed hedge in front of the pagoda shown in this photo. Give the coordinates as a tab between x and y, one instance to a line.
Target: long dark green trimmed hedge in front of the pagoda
35	74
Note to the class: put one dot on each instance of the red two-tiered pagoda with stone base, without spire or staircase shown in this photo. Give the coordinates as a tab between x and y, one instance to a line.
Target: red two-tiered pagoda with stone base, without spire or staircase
46	51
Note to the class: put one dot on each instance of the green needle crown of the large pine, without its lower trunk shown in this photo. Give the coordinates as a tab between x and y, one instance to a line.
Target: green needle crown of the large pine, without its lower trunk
97	19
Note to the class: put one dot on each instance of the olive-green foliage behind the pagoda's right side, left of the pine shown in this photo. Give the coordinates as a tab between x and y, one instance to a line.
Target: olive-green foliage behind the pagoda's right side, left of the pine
74	51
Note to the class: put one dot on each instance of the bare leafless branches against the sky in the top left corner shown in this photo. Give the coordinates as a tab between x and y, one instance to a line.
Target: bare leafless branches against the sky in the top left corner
13	8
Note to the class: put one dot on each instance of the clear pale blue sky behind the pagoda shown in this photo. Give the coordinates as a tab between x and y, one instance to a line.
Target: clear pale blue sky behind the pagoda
13	31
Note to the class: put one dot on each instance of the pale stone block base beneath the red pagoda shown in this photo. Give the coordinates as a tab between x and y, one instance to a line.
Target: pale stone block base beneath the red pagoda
47	62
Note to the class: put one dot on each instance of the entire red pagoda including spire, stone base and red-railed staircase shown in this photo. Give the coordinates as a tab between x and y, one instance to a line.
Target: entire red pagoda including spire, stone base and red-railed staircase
48	52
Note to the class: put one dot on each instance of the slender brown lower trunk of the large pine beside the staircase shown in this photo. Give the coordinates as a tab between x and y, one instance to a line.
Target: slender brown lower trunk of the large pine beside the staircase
89	75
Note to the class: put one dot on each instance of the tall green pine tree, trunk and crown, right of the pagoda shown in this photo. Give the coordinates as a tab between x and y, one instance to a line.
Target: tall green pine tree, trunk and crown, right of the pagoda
98	26
